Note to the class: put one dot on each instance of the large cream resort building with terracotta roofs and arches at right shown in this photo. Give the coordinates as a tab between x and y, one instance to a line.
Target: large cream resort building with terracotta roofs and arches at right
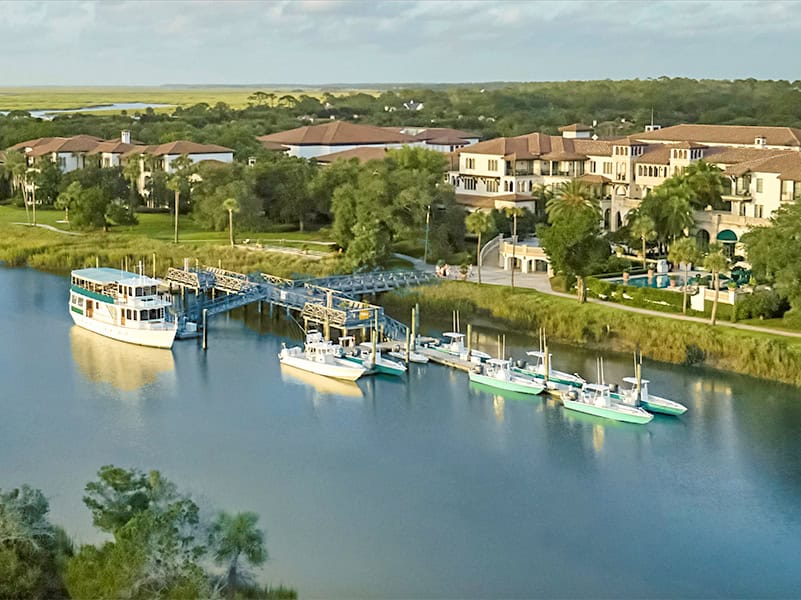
762	166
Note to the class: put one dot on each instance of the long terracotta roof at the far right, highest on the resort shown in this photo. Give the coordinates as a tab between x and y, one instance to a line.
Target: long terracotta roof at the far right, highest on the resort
725	134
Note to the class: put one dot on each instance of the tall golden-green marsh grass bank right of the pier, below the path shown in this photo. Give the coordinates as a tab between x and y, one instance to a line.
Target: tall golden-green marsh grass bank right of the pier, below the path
760	355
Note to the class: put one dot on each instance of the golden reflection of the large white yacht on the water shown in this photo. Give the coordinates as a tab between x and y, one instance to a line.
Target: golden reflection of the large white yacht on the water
125	367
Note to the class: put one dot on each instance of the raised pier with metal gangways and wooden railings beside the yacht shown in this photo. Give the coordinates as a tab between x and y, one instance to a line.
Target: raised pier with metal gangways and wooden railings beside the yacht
327	302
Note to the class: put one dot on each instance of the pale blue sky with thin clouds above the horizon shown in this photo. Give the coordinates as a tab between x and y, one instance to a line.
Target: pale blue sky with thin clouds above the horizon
121	42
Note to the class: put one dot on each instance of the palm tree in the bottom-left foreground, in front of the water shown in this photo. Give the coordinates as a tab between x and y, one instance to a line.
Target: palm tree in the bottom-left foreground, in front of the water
235	538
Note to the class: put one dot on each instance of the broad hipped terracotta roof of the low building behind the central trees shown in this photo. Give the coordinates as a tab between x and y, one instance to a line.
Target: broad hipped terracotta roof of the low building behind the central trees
336	133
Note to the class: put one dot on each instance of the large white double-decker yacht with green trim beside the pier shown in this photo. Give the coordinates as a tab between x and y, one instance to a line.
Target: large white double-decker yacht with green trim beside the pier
121	305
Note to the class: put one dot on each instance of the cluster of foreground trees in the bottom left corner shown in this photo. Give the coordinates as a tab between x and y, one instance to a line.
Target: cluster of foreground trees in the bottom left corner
162	545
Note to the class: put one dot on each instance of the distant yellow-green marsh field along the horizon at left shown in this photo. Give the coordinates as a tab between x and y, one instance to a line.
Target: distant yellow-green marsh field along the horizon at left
40	98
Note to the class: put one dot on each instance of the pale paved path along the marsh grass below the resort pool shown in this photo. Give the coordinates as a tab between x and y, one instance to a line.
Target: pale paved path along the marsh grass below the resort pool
540	282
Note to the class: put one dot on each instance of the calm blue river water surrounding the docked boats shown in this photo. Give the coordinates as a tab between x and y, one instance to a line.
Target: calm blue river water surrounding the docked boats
429	488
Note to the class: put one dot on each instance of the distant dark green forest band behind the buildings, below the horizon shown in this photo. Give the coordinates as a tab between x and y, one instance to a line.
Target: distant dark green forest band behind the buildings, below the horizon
496	109
